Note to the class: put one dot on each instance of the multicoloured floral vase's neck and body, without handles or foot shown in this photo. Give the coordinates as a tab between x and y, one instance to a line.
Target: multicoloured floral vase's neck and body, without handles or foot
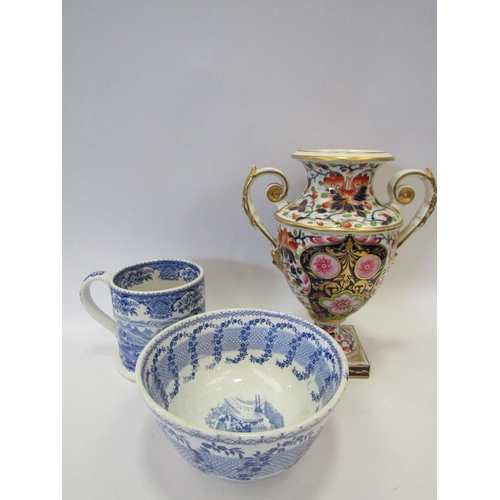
337	241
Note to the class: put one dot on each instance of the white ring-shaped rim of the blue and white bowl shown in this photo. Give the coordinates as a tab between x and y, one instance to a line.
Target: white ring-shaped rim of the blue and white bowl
190	427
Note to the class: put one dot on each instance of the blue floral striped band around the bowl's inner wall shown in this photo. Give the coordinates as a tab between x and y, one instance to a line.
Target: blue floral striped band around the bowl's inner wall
303	348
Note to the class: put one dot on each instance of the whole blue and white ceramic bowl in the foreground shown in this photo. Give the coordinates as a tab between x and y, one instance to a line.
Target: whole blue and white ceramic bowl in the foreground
242	394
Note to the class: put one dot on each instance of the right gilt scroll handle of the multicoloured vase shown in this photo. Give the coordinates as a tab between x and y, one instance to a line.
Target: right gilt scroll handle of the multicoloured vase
404	195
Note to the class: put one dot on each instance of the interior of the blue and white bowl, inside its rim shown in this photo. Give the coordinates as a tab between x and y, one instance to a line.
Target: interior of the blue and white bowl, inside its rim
242	371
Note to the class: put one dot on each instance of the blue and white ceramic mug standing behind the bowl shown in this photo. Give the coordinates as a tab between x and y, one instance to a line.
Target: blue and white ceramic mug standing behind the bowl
146	298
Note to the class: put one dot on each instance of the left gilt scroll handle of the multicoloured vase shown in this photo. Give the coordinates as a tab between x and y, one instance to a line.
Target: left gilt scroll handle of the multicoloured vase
276	193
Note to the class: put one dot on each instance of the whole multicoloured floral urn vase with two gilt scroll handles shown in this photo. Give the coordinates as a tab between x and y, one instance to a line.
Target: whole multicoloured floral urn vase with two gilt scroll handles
336	241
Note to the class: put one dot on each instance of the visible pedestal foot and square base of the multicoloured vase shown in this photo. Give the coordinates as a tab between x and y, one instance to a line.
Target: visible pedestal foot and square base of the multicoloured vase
347	338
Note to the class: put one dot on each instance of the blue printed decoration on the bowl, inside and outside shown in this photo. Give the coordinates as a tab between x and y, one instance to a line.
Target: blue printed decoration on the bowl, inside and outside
236	444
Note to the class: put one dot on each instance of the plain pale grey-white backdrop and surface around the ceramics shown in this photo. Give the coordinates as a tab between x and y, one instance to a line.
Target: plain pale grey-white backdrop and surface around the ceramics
166	106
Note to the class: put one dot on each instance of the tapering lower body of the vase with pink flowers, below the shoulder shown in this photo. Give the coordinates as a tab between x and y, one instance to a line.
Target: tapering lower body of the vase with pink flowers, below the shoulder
334	275
